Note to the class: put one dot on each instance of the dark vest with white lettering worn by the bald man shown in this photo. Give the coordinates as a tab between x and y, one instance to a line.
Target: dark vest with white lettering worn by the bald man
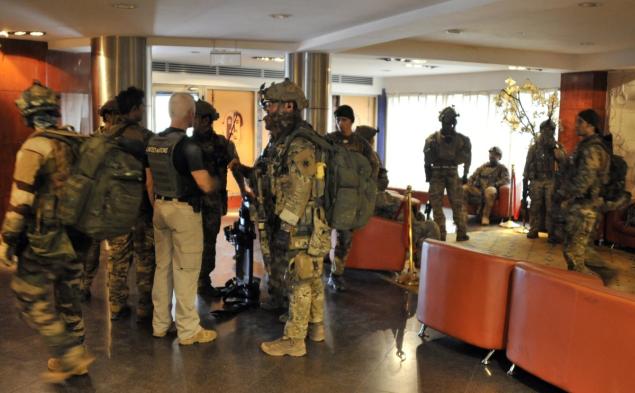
168	182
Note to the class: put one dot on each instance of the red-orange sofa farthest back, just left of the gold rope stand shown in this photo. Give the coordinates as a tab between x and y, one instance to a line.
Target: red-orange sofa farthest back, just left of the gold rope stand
380	245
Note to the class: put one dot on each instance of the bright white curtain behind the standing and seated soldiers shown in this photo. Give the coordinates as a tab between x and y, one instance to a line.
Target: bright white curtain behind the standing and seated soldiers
412	118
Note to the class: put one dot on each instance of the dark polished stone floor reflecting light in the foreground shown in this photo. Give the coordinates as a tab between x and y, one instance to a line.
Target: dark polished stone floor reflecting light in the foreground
371	347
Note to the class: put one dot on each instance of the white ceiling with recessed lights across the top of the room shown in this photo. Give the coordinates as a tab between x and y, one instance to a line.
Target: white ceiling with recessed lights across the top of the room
551	34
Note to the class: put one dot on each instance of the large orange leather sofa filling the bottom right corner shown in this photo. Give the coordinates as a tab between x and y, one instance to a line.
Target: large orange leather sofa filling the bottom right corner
574	334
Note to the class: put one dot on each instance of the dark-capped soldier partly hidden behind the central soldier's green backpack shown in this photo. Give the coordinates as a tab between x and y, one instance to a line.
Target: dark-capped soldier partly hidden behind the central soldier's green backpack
345	136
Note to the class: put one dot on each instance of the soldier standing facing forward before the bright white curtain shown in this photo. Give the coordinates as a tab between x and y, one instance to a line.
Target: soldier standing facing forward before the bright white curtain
444	151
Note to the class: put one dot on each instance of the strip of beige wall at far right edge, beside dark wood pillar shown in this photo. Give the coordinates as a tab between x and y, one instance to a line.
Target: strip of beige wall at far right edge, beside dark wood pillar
621	119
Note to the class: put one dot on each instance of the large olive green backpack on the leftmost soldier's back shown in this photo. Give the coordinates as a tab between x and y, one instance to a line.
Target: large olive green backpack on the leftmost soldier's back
103	195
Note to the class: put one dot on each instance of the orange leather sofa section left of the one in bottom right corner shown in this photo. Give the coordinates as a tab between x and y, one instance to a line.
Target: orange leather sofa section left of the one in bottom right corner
464	293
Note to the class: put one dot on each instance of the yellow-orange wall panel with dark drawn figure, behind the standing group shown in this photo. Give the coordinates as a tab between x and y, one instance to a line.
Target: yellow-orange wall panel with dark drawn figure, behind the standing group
232	106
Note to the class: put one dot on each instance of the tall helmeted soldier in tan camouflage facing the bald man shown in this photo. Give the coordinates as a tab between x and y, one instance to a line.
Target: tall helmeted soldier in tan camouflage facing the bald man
300	234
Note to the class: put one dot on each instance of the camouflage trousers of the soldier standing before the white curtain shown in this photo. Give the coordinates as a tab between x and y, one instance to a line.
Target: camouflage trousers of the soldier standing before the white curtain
447	179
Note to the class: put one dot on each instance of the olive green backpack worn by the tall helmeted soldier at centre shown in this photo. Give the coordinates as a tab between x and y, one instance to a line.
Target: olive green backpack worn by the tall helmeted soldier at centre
349	187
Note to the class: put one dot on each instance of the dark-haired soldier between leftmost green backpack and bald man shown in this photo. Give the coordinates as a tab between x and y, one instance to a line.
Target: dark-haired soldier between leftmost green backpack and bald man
138	245
